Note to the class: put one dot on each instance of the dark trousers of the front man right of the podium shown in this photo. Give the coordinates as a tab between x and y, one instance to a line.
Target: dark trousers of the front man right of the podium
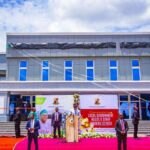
122	139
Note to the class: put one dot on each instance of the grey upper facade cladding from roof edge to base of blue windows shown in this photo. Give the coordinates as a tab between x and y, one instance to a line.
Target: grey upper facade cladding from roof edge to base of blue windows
79	57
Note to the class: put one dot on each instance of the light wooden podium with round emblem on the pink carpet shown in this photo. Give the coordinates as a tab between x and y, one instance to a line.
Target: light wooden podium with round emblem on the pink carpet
72	128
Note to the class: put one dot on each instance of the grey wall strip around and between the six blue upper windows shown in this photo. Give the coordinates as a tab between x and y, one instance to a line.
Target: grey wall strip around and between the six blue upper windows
56	70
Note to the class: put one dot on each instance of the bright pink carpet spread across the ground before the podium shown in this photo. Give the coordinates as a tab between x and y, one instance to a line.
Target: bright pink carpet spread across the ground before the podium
88	144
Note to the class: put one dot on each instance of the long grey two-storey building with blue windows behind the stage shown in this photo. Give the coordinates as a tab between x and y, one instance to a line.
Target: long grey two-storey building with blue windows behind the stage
84	63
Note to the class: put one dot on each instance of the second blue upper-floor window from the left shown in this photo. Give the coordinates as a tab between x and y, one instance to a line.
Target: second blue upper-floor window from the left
45	70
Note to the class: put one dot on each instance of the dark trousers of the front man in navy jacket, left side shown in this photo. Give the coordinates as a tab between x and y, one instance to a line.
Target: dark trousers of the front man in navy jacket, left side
30	137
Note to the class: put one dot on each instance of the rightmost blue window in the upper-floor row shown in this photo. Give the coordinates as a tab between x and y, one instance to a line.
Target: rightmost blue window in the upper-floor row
135	70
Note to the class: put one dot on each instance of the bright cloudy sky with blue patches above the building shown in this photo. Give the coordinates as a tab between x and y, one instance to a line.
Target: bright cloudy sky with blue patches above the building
73	16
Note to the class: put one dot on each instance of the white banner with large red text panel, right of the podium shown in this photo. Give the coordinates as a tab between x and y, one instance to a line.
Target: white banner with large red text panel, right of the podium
99	112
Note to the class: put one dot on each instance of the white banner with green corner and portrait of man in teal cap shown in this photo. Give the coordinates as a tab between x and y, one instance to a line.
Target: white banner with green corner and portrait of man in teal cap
48	103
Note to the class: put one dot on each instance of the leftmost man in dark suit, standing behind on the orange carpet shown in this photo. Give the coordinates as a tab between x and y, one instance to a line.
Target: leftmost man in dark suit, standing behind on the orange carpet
17	120
